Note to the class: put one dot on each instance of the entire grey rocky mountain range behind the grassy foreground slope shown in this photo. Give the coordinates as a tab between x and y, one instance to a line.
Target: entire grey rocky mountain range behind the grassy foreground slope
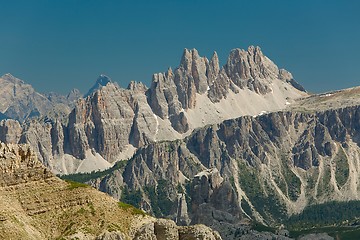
221	146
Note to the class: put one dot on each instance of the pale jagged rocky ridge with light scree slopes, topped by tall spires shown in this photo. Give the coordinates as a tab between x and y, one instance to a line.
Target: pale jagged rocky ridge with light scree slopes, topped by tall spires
111	122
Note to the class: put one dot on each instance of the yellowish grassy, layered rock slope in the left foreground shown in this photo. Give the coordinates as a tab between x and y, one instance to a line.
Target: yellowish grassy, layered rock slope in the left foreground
37	205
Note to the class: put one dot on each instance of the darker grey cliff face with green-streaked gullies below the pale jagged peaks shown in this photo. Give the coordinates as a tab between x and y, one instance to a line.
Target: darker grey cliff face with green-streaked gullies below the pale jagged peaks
242	168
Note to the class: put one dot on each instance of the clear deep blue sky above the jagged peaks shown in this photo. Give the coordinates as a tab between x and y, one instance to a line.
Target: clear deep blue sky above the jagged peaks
65	44
